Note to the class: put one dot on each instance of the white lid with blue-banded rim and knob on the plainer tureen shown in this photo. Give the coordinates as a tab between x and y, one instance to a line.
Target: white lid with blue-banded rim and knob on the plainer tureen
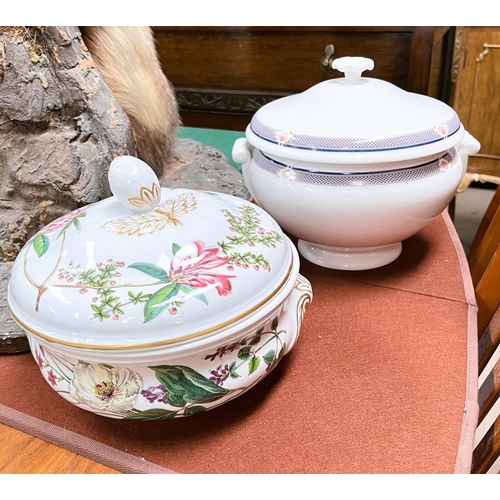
354	119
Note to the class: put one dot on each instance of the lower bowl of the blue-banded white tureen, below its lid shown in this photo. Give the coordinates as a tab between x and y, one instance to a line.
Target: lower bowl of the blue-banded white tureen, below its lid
352	222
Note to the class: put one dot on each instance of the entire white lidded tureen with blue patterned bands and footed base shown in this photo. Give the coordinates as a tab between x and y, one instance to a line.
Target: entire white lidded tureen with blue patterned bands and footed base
353	166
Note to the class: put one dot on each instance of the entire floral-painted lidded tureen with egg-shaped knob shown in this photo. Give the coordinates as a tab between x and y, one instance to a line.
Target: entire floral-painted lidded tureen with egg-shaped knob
157	303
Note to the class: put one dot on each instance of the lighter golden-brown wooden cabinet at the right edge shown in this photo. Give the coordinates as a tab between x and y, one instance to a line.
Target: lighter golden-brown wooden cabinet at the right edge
475	96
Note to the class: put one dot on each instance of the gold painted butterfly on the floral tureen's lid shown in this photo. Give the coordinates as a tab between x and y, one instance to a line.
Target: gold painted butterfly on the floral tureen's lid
148	223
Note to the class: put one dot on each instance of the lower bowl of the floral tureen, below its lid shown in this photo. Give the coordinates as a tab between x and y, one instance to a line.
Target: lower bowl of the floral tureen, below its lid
163	383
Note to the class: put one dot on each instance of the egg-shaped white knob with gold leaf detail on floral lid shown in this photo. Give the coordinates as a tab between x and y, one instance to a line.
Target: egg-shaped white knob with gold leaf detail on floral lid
134	183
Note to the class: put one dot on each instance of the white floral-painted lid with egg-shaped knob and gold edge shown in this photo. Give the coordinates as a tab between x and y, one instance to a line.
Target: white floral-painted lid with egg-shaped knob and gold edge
148	265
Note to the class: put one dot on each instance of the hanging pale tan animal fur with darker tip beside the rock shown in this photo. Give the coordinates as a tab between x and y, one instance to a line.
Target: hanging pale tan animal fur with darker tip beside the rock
127	58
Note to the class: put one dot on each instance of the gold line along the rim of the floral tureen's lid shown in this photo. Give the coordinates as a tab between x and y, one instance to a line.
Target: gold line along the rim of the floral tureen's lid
158	343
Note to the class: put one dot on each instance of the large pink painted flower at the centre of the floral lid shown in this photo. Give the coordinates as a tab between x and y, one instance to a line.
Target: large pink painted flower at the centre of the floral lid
193	266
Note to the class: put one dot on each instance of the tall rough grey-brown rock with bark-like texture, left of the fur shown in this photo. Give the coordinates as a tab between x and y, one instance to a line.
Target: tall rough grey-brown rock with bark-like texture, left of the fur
60	127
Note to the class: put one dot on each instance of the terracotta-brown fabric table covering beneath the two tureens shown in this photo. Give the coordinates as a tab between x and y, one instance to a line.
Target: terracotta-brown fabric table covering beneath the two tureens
383	379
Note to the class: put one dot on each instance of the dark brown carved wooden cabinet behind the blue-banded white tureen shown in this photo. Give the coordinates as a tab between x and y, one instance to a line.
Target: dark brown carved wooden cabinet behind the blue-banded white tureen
222	75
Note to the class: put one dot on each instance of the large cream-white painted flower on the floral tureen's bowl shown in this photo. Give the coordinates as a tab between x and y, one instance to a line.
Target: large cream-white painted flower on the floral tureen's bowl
106	389
